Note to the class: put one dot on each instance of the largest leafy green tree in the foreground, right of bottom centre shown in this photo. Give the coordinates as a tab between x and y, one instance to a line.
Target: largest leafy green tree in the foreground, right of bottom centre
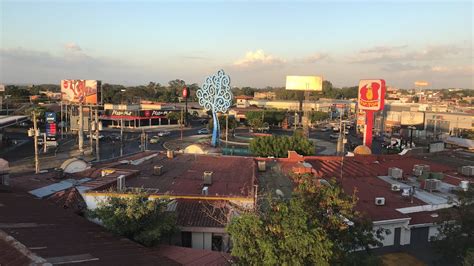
316	226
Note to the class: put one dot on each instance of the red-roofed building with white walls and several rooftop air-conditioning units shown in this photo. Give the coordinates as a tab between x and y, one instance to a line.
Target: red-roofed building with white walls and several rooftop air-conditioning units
410	218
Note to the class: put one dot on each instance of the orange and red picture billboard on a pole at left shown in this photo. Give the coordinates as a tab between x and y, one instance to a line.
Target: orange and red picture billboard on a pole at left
81	91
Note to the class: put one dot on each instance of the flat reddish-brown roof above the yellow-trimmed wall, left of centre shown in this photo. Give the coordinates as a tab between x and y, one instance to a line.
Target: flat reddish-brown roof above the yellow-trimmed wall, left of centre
232	176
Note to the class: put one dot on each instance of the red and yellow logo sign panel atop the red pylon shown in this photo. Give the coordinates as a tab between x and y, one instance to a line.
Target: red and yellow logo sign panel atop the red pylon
371	94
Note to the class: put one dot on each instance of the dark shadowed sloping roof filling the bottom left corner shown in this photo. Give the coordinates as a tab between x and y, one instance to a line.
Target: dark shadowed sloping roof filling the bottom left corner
58	235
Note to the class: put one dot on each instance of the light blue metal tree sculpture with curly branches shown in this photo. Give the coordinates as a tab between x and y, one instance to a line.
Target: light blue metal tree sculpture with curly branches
215	95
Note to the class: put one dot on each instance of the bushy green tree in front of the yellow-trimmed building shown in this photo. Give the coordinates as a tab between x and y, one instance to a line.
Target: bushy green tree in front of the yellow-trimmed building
136	217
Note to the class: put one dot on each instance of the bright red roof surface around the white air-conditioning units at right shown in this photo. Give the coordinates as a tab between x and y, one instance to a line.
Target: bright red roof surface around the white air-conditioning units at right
359	175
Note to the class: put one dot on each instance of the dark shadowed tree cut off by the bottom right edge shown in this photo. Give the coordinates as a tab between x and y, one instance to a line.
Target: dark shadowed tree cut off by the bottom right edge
456	233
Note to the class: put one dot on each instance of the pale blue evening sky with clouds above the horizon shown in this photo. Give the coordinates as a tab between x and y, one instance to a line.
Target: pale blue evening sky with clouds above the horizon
258	43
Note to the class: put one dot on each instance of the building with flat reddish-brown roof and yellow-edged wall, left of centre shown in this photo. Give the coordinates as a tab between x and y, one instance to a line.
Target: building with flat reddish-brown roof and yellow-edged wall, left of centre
205	191
